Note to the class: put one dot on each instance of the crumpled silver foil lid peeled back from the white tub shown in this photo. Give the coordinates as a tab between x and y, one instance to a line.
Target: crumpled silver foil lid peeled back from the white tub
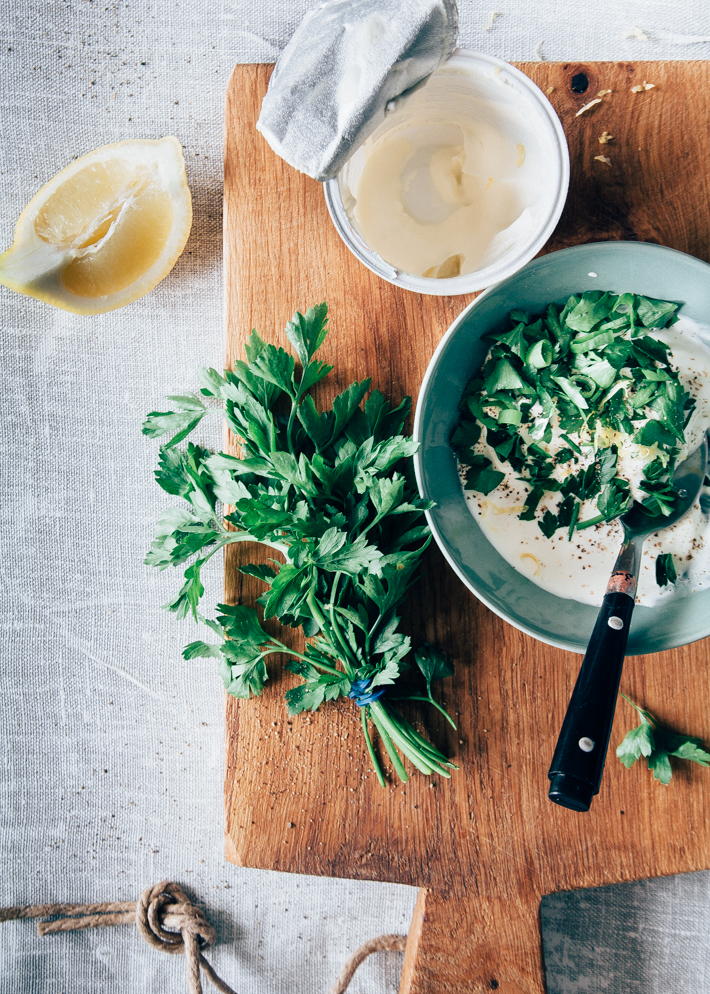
345	62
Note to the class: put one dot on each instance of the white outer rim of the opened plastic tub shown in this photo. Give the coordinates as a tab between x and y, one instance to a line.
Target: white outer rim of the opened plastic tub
493	274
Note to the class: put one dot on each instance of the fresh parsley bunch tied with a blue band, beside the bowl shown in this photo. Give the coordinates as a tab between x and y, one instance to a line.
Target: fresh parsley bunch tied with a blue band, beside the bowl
333	492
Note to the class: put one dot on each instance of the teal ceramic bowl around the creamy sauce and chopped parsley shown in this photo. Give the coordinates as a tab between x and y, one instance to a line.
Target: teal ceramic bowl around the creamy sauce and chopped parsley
636	267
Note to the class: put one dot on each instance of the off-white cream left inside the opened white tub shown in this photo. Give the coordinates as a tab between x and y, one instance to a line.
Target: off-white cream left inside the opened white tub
452	180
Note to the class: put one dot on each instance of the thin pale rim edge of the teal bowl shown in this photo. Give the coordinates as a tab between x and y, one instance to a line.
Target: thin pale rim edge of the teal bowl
418	430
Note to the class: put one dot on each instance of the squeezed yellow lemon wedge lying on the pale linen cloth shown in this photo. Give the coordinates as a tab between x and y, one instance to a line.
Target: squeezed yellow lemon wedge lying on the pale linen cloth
105	230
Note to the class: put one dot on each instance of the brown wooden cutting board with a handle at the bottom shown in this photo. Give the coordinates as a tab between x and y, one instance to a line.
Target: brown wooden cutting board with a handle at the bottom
484	847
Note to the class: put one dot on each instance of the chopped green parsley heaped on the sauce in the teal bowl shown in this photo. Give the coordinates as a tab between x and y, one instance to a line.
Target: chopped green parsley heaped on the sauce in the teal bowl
589	364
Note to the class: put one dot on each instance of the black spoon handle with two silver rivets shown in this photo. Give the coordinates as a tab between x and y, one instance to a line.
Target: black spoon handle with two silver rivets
578	762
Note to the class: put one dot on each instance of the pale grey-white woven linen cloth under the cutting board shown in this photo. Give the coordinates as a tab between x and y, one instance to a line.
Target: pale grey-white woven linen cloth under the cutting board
112	745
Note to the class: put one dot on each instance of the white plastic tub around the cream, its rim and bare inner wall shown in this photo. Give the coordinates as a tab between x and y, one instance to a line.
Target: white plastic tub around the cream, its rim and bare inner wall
500	85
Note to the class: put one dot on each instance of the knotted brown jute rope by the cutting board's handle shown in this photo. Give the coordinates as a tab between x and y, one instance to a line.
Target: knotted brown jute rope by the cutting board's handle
165	907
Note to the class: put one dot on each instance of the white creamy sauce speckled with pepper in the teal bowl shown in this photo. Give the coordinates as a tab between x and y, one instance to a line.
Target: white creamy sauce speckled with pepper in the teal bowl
580	569
